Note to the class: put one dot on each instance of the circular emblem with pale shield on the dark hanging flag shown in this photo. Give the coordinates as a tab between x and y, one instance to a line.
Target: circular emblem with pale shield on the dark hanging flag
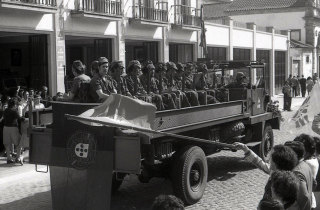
81	150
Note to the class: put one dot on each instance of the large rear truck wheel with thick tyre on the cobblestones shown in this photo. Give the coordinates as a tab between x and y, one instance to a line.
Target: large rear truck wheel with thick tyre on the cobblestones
189	174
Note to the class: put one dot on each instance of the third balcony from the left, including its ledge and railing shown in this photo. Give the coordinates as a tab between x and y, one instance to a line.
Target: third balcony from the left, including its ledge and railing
157	15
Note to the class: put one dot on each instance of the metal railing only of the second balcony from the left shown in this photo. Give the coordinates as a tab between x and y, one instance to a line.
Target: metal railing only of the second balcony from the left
108	7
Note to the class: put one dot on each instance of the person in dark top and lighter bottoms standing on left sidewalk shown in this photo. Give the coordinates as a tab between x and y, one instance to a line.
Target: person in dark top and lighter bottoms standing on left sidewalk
11	134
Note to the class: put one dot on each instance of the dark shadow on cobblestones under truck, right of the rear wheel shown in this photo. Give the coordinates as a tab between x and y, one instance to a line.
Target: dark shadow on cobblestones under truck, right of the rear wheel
222	168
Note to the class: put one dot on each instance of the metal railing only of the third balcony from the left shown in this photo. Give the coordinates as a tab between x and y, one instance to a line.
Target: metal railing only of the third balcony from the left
160	13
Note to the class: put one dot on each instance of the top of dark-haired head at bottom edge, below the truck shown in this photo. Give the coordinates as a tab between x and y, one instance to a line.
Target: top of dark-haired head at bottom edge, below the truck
167	202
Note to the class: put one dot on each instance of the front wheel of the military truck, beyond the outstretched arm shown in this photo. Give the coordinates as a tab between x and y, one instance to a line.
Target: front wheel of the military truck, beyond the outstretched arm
266	143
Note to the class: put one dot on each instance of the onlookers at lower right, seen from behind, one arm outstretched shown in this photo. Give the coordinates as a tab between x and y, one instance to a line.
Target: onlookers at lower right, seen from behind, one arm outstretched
293	169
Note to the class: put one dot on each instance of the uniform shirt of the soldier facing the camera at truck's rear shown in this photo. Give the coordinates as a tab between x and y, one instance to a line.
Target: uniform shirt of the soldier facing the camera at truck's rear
101	83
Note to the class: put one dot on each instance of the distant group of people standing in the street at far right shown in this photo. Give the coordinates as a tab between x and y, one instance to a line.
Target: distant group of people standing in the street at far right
295	86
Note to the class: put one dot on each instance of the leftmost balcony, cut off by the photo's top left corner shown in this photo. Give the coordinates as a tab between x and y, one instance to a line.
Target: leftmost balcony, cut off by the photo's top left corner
45	6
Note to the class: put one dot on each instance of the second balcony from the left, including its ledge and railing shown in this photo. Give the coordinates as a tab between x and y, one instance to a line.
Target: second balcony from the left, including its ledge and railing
105	9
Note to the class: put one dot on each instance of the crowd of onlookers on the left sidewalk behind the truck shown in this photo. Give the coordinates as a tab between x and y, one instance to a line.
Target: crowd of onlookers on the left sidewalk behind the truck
14	107
